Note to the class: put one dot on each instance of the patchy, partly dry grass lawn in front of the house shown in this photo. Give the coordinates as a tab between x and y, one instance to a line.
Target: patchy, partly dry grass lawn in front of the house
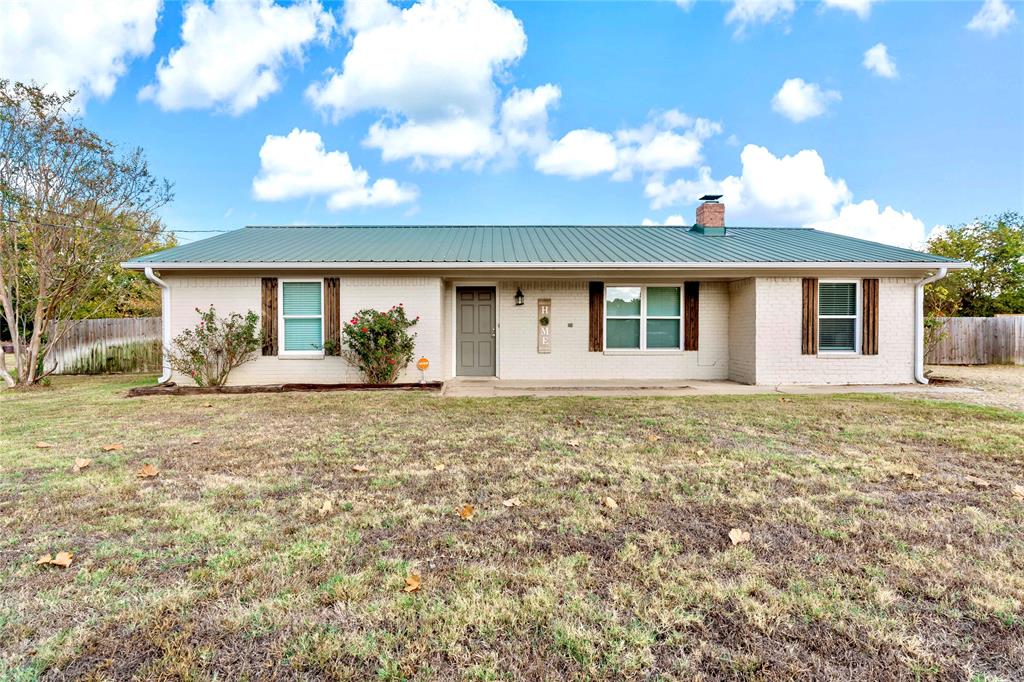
886	540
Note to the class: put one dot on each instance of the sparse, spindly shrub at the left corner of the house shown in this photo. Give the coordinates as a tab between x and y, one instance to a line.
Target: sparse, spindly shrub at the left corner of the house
216	347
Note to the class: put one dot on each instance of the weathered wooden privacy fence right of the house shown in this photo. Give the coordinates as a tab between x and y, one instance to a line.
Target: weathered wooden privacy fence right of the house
979	342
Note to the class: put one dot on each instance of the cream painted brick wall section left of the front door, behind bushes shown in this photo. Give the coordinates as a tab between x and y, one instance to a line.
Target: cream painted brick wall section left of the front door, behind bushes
421	296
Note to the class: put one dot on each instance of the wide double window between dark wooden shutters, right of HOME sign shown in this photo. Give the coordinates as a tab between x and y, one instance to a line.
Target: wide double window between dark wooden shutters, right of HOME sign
644	318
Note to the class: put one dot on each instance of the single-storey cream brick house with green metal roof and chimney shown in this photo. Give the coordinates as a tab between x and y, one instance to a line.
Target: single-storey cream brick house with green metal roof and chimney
757	306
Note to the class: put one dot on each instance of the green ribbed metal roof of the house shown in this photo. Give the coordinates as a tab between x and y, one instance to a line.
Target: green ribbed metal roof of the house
544	245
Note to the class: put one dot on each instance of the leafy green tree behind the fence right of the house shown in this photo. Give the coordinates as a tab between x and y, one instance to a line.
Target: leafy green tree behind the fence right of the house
995	283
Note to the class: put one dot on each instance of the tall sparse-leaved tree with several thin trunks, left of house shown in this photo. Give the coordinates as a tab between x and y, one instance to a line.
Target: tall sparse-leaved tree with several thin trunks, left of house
72	206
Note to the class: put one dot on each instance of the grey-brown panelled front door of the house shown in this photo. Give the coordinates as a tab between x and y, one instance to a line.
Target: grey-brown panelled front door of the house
476	331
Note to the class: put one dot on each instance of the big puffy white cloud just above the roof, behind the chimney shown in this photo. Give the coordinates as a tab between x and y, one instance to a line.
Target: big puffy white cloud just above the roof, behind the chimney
791	191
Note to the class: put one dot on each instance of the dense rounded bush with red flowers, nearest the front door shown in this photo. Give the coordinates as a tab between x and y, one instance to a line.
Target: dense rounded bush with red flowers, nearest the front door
379	345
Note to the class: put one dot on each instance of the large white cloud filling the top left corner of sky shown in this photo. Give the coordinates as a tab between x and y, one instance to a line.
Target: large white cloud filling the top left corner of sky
74	46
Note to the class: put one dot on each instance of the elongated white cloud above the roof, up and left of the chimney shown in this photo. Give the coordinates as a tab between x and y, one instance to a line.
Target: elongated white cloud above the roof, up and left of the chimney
669	141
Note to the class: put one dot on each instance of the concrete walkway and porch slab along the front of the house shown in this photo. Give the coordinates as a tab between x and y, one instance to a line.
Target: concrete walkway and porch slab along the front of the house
468	388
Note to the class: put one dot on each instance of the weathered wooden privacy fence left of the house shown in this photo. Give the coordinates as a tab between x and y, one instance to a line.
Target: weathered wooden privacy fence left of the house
105	347
